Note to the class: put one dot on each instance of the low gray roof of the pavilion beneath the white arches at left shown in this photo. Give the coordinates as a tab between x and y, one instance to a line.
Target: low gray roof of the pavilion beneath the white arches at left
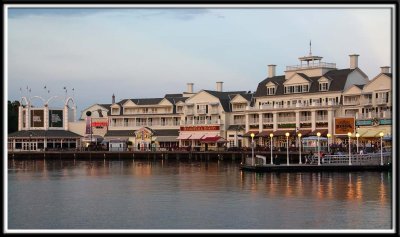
44	133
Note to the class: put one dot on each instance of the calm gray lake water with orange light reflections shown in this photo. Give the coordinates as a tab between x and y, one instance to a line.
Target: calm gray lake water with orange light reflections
193	195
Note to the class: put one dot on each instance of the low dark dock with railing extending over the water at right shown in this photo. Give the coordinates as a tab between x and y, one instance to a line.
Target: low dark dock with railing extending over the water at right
332	163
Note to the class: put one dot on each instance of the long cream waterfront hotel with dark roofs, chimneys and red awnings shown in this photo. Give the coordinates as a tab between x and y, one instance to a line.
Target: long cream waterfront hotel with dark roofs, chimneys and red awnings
311	98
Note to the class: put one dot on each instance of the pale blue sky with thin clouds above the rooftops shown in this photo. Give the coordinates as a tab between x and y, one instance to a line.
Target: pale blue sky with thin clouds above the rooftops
142	53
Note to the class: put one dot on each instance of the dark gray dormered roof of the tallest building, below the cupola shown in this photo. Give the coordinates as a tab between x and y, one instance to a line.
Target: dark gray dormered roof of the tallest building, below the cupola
338	81
